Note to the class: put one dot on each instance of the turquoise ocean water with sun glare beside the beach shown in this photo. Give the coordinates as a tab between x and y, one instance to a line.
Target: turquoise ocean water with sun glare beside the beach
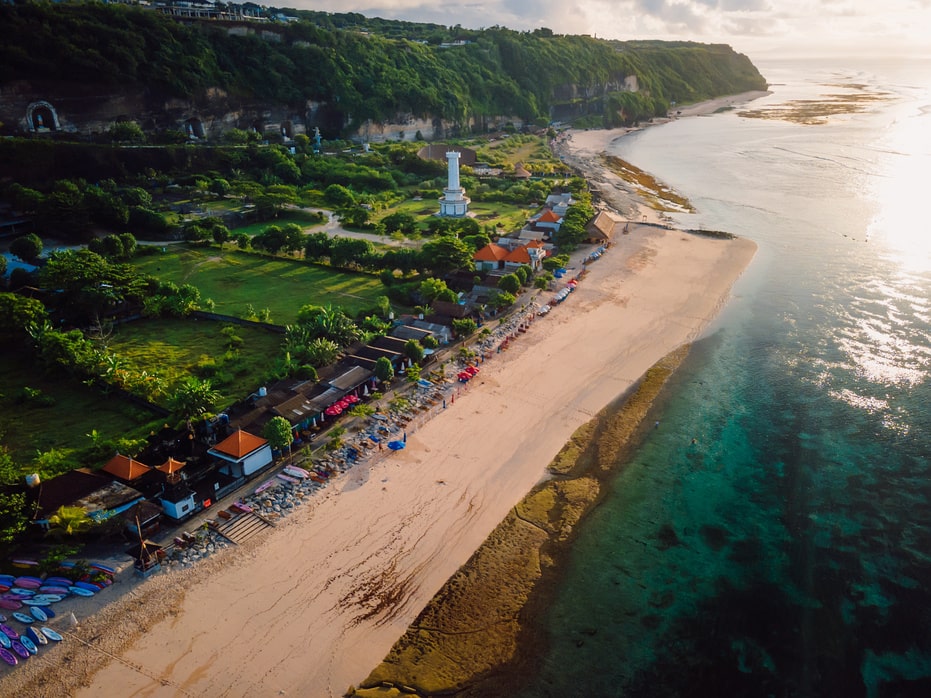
786	551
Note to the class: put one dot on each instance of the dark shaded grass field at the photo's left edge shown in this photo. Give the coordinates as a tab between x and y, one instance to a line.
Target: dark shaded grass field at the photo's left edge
29	426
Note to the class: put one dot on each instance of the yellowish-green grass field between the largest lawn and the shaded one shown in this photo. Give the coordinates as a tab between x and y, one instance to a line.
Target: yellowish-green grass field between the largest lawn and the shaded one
174	348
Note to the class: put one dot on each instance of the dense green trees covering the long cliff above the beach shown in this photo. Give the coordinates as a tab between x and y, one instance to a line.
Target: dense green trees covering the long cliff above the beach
390	68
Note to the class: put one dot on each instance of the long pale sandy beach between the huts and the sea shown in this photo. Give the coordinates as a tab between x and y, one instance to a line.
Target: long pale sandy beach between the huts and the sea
311	607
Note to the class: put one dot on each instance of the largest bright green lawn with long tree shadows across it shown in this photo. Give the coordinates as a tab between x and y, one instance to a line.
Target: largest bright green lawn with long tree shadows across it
236	280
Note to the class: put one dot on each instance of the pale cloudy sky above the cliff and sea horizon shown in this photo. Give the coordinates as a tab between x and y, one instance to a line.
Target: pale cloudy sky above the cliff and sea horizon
753	27
